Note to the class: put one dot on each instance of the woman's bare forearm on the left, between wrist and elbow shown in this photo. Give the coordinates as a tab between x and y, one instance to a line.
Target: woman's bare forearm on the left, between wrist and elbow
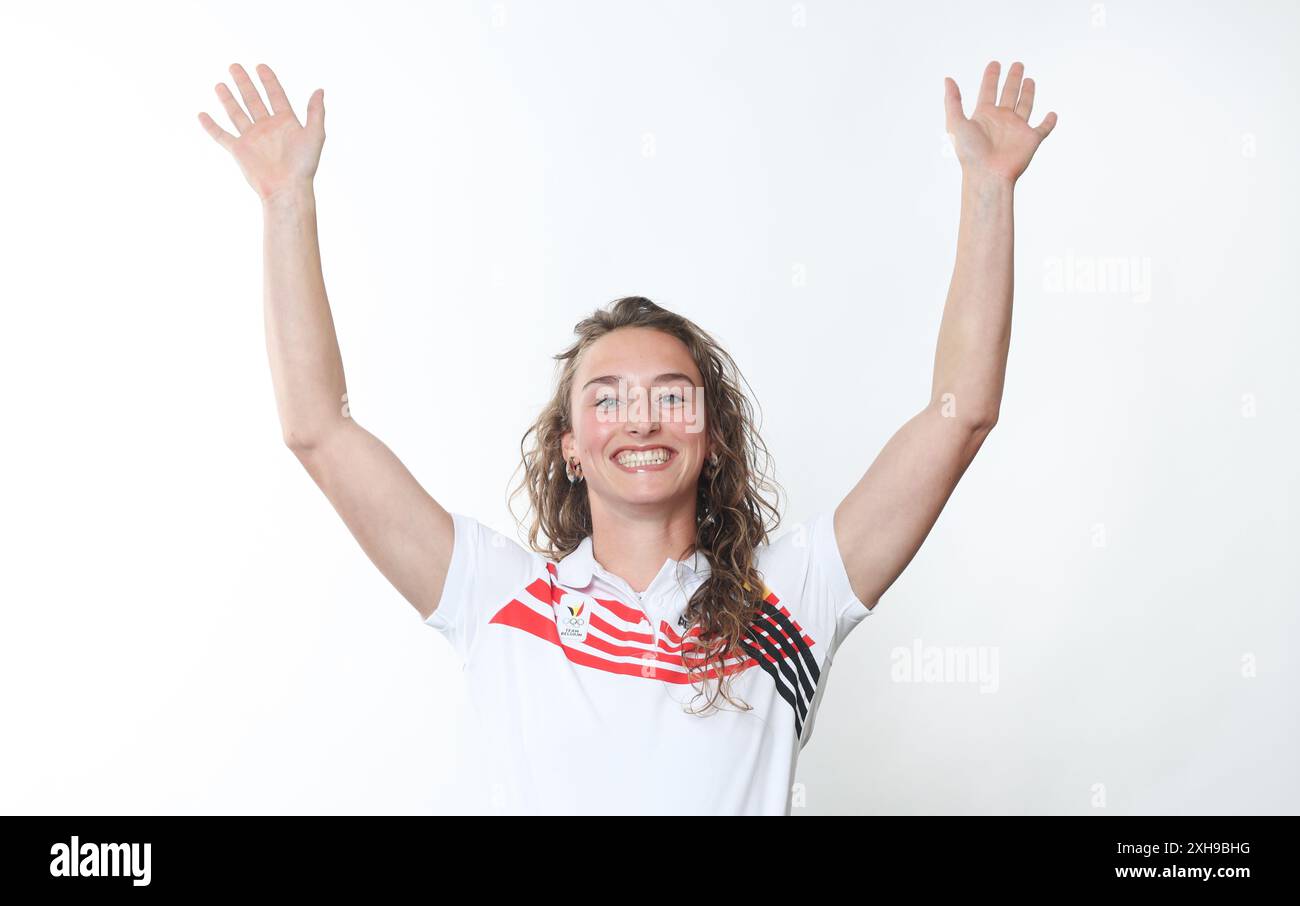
306	366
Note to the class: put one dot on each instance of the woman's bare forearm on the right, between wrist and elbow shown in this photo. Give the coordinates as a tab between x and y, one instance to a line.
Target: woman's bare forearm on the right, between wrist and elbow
976	333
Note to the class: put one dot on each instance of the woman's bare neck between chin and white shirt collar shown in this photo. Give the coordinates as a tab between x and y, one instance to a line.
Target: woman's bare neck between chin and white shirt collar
634	543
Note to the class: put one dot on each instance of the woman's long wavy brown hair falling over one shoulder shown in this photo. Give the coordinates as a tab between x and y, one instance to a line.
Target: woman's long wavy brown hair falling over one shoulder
734	515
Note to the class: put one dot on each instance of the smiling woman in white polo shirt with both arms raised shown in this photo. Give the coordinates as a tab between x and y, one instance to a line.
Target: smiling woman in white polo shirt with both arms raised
657	654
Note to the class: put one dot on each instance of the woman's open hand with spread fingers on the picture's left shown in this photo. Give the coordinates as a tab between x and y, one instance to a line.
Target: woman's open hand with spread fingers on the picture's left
275	151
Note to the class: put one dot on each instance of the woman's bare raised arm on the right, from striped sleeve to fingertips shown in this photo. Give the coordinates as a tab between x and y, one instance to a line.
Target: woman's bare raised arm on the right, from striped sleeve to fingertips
887	517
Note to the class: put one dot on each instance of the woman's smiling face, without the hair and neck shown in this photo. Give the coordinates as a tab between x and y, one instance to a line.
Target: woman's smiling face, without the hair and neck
639	389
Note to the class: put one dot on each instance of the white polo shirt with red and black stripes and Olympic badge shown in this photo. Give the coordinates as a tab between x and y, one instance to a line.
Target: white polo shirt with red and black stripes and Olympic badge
575	697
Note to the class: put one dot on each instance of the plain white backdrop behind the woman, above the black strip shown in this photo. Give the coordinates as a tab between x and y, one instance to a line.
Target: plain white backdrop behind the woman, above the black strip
188	627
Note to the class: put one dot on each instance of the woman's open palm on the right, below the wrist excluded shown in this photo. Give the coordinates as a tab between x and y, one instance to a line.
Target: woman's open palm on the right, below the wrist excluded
998	138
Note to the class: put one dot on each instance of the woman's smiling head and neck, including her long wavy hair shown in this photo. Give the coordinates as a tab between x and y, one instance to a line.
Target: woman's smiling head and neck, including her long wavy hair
696	482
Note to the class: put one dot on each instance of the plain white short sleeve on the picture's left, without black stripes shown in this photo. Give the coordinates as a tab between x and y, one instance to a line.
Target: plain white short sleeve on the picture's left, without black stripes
486	574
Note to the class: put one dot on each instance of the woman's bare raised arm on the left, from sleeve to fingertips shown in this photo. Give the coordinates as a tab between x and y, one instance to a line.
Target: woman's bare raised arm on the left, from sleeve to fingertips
405	532
